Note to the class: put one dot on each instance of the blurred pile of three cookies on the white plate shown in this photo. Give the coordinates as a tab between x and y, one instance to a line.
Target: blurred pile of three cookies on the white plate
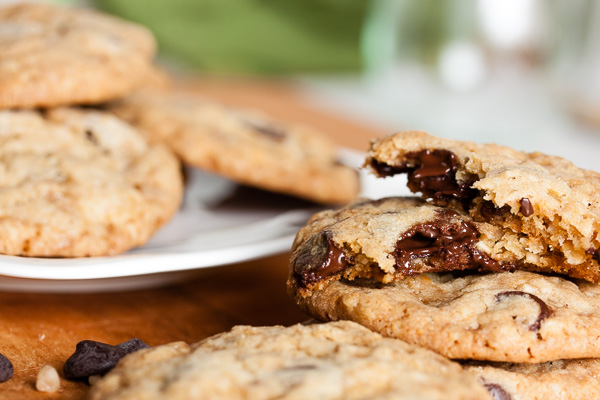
77	180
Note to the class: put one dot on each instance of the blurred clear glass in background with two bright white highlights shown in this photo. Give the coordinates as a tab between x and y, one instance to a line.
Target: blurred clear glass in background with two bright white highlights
461	42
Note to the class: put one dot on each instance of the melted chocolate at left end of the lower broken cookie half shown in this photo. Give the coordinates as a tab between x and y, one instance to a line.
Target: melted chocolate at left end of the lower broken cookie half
320	258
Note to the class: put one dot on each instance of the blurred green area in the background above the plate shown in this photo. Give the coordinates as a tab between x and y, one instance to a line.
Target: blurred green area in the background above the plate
248	37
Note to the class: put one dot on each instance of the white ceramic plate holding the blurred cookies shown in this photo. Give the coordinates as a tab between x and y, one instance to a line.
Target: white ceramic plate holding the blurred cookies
220	223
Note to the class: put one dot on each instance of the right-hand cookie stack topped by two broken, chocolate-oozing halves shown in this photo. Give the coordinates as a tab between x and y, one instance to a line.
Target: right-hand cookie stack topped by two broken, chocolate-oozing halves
498	263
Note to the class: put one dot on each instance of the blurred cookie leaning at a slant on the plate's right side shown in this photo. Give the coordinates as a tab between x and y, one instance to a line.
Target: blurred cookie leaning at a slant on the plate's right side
245	146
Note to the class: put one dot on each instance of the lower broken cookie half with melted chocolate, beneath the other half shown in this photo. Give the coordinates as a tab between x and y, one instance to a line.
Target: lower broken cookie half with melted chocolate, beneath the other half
390	238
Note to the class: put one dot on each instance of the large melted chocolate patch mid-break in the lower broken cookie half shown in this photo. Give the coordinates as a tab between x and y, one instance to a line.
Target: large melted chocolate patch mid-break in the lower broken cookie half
451	245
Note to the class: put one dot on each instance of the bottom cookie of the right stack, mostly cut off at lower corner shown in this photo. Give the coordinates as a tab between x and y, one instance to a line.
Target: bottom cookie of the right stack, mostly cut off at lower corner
553	380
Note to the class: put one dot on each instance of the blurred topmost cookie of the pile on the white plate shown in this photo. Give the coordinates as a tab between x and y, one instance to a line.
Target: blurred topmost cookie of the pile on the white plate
51	55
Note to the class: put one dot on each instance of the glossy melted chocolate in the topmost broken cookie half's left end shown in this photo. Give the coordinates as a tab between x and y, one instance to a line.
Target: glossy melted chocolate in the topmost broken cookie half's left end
432	172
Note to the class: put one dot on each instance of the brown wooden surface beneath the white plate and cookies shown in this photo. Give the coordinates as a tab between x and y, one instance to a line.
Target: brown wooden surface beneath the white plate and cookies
40	329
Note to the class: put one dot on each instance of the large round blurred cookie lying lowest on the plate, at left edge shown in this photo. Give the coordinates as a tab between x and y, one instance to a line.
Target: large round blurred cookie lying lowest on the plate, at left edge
77	182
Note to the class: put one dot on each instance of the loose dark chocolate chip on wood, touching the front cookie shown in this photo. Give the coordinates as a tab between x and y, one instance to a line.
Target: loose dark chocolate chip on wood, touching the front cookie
96	358
